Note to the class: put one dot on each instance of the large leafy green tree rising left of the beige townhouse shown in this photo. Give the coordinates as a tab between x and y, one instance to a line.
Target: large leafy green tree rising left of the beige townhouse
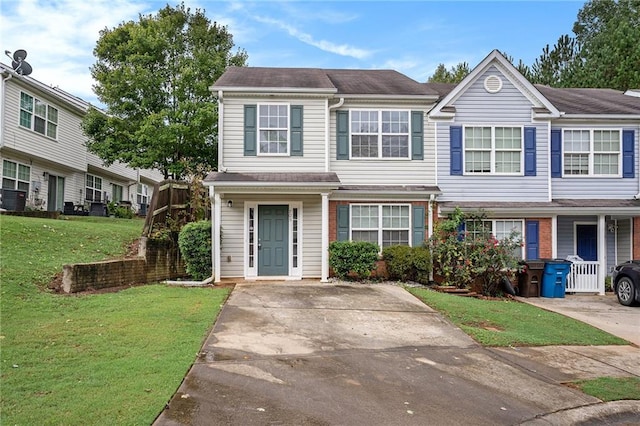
153	76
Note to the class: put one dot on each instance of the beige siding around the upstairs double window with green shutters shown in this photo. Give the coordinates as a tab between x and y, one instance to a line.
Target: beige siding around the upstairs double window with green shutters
386	171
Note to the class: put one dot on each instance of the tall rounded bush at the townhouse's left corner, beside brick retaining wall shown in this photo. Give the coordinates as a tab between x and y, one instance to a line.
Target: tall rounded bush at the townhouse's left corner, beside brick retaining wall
195	246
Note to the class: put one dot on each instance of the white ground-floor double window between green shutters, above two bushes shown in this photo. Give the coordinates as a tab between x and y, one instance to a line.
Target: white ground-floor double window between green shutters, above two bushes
385	225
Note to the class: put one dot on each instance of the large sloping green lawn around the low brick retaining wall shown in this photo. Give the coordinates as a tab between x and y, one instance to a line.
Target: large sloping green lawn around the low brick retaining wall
112	358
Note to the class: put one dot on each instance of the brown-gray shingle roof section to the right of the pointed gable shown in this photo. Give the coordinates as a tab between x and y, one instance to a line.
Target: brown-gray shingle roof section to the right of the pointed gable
590	101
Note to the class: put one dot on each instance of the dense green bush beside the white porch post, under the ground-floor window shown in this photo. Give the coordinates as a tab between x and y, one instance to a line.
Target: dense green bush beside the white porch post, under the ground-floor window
353	257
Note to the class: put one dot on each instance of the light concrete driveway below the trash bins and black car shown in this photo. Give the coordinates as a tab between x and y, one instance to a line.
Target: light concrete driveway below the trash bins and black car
603	312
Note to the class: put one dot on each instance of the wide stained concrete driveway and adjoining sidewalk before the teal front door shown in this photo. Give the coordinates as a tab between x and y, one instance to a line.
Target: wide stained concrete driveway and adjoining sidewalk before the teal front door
334	354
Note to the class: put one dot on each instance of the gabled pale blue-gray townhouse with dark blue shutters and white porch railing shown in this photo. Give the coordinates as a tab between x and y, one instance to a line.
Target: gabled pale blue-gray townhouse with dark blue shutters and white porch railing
561	166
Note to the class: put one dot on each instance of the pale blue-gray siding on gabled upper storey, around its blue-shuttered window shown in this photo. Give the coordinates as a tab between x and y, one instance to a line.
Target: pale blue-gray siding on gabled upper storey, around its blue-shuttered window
507	107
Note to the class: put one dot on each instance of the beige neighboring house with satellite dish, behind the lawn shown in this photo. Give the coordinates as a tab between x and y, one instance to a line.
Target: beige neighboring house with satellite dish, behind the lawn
43	152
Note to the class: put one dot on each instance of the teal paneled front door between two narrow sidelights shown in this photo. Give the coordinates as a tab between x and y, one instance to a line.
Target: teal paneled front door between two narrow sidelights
273	240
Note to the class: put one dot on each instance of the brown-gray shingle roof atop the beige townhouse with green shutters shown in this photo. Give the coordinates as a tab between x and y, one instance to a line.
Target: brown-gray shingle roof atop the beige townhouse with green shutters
342	82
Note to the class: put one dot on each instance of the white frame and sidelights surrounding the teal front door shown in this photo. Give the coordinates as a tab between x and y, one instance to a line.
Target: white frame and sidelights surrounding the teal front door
252	272
